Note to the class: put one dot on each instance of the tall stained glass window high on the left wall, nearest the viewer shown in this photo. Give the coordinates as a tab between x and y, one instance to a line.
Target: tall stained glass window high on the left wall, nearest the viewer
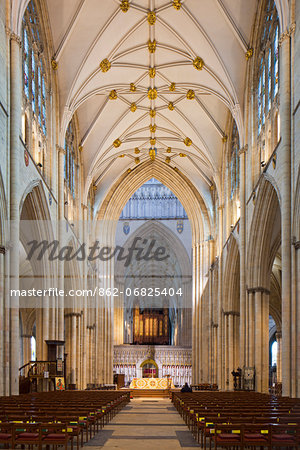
34	74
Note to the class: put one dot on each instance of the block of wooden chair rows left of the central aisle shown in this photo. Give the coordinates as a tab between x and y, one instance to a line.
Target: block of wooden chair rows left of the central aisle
57	417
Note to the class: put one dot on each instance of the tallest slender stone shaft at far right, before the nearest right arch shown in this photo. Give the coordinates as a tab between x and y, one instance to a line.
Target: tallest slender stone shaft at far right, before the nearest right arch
285	169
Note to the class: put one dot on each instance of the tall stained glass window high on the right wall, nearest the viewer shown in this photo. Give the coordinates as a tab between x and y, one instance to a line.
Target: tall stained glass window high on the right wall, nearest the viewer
268	72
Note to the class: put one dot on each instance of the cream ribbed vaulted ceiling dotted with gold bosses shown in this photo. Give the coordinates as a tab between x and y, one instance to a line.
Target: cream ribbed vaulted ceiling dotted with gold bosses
158	75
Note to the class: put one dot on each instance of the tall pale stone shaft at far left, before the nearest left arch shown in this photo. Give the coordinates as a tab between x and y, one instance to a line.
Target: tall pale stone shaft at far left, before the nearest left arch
15	131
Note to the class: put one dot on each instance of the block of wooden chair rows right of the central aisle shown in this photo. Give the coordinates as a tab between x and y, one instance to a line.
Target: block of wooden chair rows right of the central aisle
235	419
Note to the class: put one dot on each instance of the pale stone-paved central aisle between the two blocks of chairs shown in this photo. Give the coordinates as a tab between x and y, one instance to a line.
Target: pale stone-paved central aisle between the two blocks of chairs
145	424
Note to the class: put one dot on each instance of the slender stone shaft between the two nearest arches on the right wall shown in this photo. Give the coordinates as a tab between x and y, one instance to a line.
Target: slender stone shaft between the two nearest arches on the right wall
242	248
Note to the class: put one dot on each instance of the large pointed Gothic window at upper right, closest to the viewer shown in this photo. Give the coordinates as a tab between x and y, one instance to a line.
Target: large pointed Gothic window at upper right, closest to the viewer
268	74
